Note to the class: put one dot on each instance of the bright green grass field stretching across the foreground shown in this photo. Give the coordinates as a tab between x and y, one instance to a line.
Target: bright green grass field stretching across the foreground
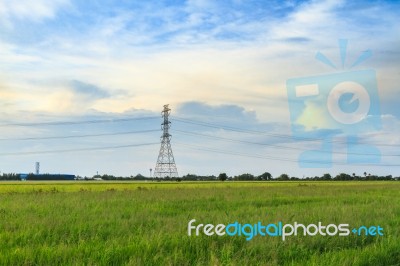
117	223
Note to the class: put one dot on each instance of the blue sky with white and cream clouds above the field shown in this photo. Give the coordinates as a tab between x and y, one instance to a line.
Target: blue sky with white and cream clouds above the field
82	85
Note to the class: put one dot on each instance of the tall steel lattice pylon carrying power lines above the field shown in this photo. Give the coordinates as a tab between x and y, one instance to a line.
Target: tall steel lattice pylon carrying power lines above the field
165	166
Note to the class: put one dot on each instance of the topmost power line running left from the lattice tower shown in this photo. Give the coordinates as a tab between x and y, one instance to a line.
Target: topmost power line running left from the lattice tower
63	123
